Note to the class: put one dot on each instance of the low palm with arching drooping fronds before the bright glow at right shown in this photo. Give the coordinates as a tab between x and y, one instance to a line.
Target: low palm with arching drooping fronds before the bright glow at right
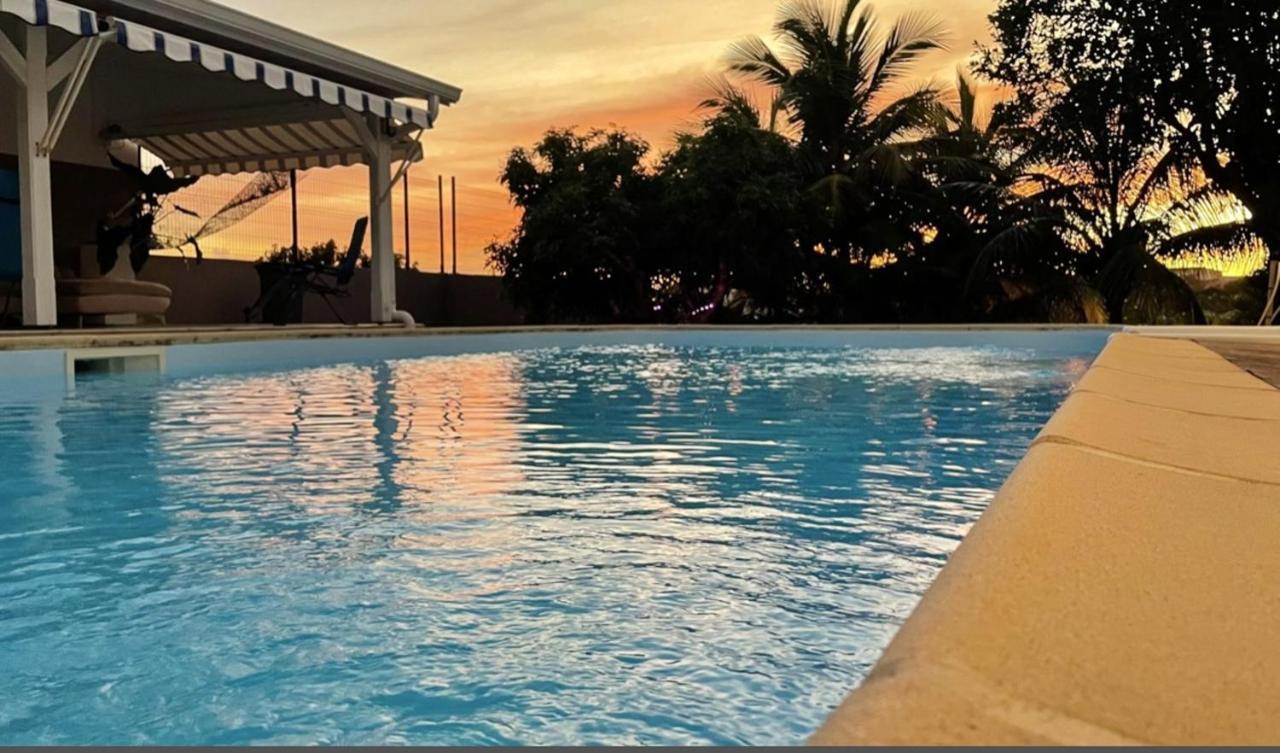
1118	194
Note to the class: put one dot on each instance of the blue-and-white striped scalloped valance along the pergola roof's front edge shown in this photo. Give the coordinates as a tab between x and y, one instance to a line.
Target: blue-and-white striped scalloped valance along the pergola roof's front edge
143	39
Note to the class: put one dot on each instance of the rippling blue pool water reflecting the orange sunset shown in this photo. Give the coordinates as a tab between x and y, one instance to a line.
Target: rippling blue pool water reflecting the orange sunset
610	544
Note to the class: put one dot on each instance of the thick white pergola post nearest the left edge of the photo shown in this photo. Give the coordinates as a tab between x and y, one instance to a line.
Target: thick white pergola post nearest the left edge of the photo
39	295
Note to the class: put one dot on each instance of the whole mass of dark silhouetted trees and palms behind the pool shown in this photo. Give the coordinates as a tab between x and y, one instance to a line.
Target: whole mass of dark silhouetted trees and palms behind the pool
1135	133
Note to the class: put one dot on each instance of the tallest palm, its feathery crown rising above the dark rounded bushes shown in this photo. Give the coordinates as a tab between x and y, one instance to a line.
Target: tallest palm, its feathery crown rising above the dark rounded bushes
835	81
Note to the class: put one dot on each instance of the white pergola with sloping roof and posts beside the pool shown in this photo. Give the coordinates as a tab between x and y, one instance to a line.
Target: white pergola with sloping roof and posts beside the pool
234	94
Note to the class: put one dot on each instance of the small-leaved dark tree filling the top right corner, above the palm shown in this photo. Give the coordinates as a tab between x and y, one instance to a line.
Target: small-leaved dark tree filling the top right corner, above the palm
1208	72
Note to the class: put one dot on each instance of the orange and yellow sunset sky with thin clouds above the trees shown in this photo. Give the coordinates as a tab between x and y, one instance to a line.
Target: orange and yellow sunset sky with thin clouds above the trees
527	66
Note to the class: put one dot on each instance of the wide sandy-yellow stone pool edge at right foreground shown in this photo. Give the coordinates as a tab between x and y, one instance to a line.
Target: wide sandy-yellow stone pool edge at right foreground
1121	587
